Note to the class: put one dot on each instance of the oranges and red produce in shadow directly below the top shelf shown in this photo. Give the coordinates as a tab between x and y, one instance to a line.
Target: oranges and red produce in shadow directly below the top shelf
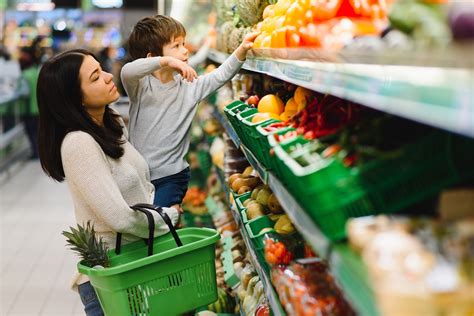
336	128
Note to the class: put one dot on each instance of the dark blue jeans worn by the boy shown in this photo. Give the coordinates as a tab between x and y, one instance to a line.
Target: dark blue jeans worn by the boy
170	190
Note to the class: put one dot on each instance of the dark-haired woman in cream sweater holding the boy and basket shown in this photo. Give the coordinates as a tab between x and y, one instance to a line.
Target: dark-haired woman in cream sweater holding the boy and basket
83	141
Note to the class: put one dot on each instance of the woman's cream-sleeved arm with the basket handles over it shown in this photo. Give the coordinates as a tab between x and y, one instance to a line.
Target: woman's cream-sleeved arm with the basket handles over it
88	173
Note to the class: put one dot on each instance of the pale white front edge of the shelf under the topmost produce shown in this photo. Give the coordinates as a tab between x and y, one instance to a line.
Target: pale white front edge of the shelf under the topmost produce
440	97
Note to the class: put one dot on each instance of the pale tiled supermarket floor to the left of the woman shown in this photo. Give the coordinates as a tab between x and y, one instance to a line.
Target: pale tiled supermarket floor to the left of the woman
36	268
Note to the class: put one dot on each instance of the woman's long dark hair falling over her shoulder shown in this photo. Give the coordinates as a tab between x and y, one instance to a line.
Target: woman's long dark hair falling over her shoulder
61	111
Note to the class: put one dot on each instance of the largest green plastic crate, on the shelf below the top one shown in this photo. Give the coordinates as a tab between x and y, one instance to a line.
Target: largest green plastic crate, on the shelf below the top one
332	193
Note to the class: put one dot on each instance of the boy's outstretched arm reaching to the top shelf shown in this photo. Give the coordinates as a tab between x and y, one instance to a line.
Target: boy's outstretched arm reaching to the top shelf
209	83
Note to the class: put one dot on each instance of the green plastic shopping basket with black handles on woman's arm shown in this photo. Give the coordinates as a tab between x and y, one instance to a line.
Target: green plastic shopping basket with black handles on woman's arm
171	281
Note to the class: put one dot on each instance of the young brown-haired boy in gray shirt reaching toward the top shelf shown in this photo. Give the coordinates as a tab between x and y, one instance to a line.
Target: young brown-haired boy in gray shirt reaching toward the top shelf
163	102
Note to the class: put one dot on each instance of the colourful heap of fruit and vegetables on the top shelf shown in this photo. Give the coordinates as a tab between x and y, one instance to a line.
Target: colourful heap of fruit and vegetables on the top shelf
367	25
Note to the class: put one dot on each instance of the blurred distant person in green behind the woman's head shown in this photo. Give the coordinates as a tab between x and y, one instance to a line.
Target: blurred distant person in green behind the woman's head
30	67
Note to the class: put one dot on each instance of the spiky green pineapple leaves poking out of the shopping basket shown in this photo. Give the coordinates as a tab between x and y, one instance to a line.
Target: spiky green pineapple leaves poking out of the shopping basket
91	249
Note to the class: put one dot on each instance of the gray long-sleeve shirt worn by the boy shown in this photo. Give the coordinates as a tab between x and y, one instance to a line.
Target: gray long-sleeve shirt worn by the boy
161	114
